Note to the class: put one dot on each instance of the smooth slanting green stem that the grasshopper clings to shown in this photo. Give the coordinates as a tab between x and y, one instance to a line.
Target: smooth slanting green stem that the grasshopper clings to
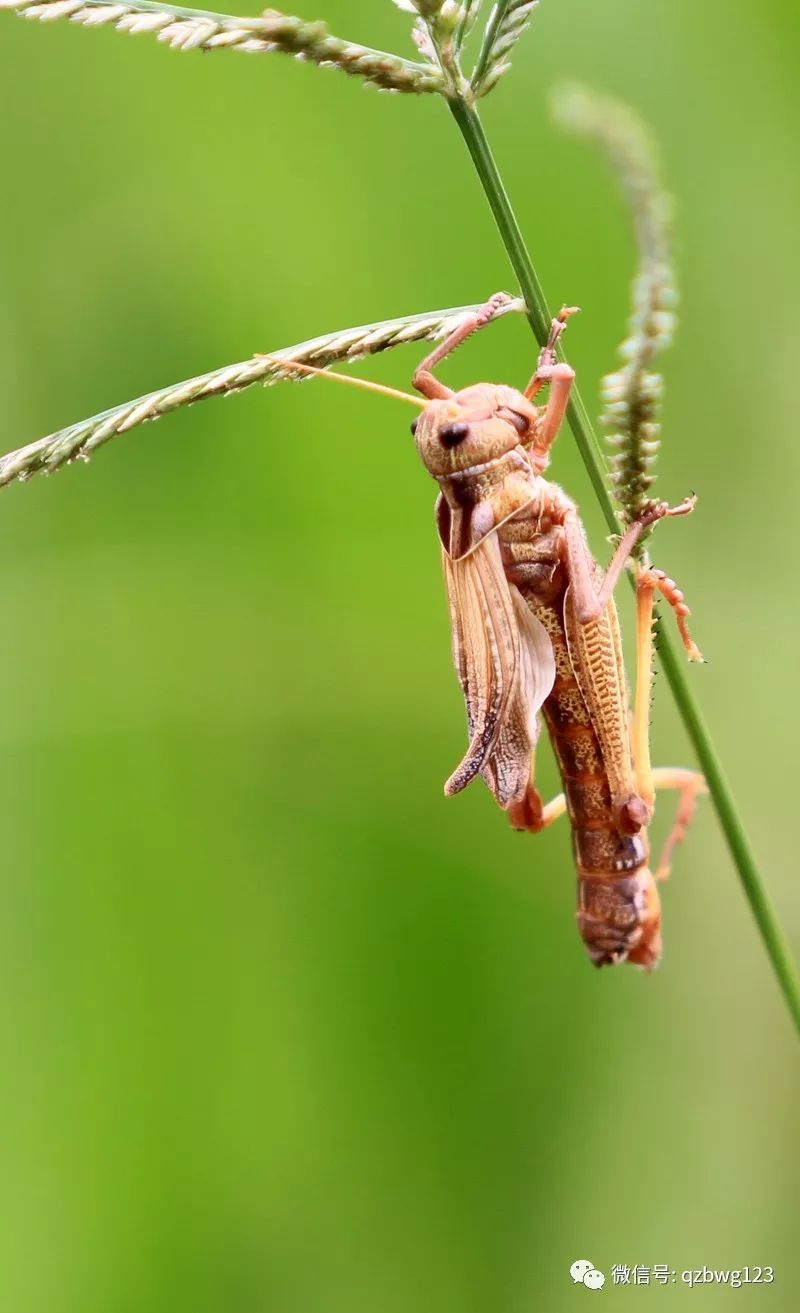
539	317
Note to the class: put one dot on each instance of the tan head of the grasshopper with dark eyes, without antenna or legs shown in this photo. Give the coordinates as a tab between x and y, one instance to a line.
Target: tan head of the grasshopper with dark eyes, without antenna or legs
474	427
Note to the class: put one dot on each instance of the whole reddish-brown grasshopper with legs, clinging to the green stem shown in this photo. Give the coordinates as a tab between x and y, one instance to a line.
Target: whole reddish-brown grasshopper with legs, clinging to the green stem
535	630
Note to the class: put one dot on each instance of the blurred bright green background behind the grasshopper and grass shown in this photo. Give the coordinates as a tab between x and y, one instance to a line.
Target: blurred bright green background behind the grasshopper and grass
280	1027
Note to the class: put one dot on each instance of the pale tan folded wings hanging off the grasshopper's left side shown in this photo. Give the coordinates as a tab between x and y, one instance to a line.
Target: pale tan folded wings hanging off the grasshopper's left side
505	662
